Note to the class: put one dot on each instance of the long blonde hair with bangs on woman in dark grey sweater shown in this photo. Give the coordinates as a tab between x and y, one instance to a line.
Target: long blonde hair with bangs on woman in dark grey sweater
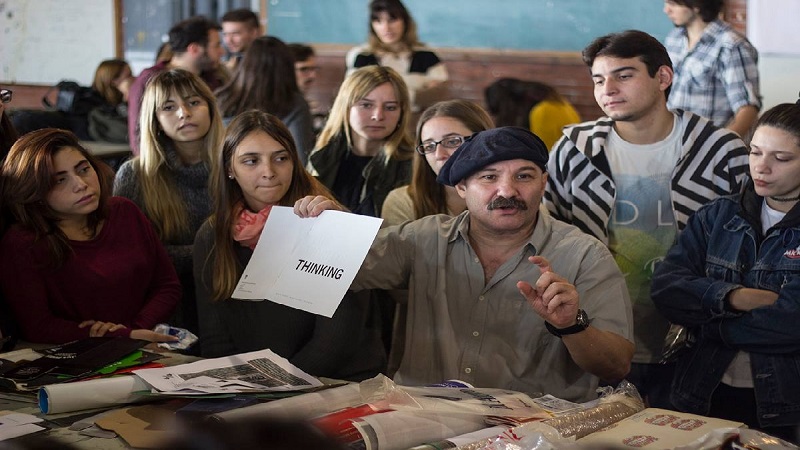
162	201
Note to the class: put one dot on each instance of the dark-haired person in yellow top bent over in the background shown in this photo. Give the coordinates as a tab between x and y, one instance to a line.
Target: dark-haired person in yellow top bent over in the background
530	104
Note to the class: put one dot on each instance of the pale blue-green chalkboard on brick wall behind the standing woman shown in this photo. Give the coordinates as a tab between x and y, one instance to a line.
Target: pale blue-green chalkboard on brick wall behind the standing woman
557	25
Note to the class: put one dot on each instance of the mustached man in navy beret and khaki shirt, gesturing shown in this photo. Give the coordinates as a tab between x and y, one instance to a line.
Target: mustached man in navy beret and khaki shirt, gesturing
502	296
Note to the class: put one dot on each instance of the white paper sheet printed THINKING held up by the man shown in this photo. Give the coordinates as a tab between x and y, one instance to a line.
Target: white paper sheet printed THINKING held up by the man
307	263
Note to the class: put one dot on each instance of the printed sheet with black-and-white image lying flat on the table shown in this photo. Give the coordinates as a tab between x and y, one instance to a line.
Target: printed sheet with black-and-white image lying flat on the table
260	371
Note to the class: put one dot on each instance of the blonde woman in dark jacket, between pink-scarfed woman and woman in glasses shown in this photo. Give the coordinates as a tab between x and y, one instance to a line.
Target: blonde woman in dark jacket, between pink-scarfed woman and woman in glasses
364	151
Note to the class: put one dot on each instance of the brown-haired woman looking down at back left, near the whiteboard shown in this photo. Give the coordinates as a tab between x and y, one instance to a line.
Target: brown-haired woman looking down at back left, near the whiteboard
109	121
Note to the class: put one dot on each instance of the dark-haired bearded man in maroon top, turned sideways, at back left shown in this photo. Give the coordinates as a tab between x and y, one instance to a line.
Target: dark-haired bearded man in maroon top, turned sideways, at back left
197	48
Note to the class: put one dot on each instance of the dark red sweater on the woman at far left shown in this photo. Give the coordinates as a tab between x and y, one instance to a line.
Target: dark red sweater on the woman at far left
122	276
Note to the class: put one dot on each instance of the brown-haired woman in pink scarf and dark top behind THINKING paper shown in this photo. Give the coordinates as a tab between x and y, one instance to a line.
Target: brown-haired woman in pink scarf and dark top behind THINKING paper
257	169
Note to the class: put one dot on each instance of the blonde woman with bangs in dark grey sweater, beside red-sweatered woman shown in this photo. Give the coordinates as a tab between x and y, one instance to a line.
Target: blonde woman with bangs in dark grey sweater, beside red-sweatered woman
181	132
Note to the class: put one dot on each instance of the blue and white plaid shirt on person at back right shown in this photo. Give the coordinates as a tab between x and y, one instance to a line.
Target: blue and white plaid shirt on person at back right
715	78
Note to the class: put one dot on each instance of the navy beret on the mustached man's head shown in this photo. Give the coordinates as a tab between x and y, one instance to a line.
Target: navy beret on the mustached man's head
490	146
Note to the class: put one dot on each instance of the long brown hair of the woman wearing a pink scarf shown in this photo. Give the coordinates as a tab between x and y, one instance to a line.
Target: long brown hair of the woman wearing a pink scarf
227	194
